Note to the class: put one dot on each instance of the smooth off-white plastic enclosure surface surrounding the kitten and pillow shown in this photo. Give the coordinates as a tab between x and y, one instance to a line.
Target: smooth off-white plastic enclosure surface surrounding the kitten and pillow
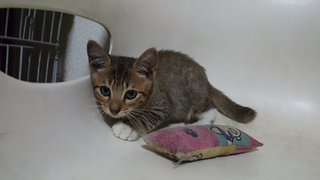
262	54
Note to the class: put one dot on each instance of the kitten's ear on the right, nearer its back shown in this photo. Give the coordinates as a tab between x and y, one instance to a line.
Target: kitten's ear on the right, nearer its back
147	62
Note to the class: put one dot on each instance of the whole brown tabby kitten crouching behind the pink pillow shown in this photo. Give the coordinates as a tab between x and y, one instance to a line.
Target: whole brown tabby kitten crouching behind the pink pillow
159	87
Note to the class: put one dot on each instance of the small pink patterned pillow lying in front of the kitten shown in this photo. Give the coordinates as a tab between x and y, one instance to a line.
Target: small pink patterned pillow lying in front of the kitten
190	143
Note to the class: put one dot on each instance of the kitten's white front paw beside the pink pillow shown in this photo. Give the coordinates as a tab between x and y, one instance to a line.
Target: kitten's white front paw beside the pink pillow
124	131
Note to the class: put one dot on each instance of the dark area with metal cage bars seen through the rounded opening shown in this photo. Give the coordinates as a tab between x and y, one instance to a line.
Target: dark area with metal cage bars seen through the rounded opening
30	44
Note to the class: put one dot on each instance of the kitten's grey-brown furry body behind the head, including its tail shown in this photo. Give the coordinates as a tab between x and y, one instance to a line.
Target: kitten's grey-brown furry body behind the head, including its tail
189	90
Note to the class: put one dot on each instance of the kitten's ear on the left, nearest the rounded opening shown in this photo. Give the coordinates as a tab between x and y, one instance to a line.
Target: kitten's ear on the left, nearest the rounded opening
98	57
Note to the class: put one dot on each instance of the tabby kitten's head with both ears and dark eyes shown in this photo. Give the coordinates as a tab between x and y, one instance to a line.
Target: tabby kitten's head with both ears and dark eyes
121	84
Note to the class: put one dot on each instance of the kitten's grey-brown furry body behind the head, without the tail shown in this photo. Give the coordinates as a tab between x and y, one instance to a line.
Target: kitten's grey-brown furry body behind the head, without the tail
185	83
